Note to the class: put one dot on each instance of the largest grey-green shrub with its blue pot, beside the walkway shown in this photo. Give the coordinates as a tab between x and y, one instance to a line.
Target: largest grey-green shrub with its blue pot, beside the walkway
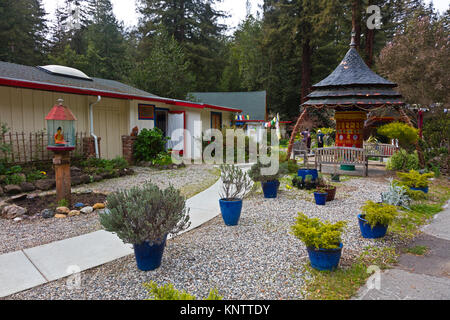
144	217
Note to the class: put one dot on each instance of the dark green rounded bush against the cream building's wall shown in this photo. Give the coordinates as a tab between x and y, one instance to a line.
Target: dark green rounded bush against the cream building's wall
149	144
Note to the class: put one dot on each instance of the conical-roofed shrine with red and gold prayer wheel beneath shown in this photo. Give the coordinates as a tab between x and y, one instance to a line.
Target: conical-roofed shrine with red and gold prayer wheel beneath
353	90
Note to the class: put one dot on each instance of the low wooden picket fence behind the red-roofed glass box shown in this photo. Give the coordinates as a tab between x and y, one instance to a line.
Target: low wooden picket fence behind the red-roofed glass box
31	147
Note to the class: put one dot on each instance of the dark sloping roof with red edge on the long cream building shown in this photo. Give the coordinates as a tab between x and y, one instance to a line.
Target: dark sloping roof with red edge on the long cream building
22	76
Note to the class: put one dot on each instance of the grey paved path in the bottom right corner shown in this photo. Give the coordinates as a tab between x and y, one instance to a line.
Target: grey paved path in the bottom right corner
418	277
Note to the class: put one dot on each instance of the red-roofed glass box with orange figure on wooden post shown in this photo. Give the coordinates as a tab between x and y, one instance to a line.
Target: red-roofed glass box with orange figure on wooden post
61	140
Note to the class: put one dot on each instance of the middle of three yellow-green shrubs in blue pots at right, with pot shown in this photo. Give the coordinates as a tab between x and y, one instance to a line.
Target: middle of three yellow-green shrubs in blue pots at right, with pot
375	219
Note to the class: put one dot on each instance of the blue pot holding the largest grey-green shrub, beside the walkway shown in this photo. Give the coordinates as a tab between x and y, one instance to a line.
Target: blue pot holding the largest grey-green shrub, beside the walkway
149	257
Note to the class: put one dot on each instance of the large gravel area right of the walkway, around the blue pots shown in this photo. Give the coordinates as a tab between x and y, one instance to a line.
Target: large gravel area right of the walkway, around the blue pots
259	259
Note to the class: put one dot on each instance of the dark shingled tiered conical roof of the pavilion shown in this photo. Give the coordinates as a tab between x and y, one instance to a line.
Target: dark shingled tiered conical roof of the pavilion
354	86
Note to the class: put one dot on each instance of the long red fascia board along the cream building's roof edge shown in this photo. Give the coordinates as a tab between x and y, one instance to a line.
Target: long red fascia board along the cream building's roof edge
65	89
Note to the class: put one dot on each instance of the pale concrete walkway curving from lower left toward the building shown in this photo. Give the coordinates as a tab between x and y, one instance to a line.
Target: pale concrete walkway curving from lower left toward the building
25	269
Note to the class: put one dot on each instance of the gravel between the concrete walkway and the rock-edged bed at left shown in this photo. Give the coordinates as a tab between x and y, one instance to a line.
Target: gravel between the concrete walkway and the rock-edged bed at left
31	233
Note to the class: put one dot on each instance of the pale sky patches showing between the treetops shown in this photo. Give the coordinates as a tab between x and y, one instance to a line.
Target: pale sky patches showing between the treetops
125	10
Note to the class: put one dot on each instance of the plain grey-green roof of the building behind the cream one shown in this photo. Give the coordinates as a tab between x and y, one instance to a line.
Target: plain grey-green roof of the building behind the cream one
251	103
